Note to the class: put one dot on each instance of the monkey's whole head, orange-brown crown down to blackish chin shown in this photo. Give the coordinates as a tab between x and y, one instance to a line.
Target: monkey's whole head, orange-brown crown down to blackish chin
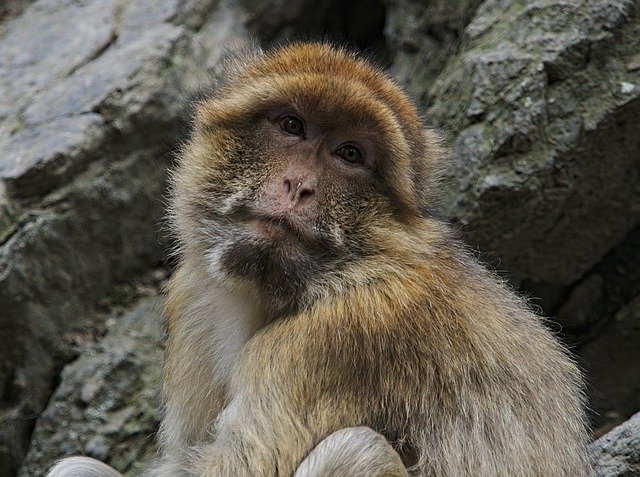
298	162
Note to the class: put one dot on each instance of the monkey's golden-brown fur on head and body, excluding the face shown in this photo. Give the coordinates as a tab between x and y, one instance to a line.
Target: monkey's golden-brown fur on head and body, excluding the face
411	337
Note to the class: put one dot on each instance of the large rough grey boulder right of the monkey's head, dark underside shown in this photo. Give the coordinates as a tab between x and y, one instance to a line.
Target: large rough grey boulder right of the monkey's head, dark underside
542	135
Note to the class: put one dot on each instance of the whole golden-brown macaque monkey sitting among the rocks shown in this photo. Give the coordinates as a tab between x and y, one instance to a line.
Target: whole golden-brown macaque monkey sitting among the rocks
322	320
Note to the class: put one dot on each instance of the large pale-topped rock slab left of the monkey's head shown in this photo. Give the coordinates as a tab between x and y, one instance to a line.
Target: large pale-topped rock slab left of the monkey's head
91	99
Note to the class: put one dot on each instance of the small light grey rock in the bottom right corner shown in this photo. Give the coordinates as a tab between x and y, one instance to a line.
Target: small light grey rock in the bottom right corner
617	453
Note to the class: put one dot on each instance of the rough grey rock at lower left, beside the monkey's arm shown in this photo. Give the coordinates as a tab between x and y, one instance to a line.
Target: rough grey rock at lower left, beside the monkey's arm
106	405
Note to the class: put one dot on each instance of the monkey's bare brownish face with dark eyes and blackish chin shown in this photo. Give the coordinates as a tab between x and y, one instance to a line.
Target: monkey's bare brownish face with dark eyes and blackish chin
297	205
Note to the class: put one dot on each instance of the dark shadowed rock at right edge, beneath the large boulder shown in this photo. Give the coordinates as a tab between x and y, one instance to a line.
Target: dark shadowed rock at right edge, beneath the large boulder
594	307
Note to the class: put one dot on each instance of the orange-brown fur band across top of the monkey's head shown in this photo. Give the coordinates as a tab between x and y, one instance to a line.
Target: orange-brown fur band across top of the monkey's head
325	79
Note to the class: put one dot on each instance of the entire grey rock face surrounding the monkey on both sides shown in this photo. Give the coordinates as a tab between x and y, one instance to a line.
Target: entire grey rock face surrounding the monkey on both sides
539	102
